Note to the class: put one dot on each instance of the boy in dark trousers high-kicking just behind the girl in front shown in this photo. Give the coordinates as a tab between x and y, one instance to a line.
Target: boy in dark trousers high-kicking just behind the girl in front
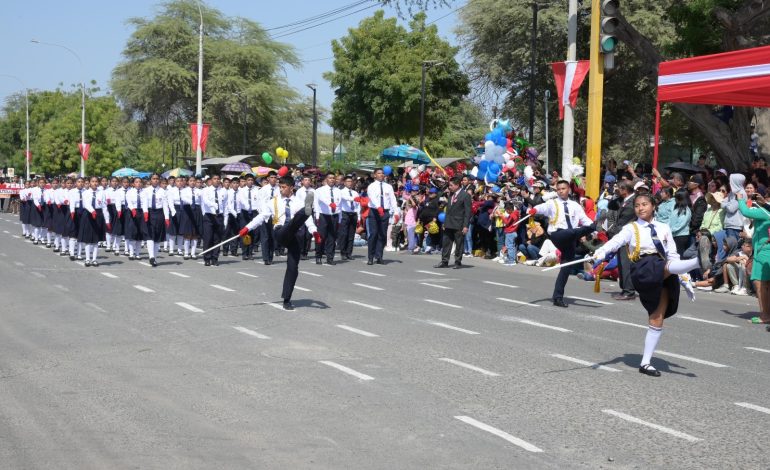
568	222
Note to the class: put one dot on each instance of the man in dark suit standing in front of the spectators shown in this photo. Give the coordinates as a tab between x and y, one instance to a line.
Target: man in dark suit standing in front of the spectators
458	216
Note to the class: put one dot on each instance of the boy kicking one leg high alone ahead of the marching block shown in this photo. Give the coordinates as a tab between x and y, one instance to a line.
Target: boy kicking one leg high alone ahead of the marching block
292	218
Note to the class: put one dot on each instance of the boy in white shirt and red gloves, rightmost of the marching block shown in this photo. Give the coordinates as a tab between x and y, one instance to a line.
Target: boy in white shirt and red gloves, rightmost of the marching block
382	202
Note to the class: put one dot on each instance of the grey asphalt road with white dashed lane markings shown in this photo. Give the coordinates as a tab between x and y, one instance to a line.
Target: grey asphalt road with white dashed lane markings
379	367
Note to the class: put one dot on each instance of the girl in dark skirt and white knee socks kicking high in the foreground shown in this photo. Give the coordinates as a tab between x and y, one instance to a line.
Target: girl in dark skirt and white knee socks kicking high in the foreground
654	271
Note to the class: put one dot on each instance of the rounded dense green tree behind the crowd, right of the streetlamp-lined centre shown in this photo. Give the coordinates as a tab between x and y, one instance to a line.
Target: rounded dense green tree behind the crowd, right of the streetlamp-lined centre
377	79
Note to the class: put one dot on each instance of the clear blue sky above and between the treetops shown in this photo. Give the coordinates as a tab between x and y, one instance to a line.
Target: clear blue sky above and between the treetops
96	30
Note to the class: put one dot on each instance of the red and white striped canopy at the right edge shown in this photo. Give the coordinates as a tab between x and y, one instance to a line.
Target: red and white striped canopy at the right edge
738	78
